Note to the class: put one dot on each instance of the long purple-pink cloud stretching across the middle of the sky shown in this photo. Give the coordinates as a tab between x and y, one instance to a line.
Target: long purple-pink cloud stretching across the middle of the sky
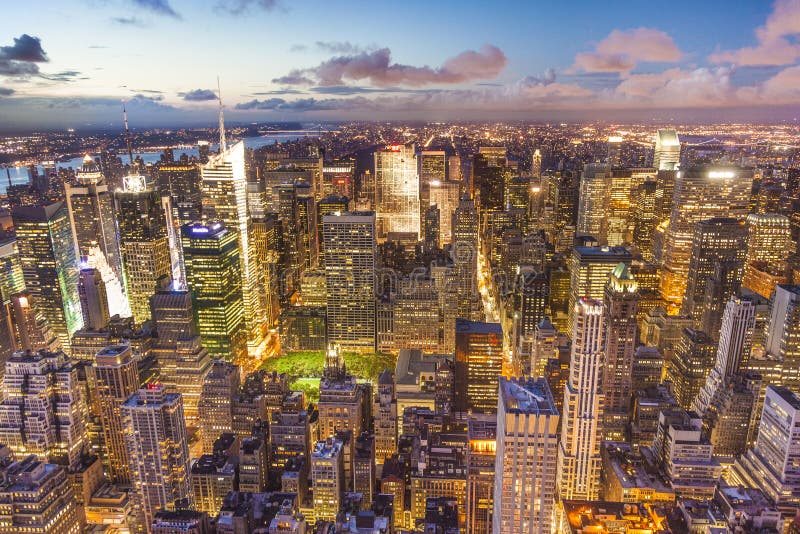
377	69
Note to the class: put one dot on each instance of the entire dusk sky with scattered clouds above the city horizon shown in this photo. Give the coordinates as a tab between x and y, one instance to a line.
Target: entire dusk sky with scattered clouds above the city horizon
70	63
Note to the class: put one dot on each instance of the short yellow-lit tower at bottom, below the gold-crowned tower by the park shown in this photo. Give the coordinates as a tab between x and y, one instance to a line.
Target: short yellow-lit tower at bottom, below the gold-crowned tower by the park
327	478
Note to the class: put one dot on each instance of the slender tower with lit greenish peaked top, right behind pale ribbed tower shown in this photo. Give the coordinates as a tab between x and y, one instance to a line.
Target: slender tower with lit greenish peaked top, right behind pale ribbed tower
620	304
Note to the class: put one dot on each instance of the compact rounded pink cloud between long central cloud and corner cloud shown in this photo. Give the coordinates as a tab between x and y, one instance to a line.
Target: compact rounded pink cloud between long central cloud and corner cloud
621	51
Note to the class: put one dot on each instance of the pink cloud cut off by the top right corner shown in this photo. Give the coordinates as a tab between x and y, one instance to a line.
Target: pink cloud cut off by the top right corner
773	44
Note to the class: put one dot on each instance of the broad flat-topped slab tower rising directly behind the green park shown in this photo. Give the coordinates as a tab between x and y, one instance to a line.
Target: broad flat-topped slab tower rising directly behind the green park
350	250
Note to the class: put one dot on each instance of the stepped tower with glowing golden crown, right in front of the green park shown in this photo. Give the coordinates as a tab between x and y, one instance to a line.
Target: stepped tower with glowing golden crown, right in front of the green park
341	398
